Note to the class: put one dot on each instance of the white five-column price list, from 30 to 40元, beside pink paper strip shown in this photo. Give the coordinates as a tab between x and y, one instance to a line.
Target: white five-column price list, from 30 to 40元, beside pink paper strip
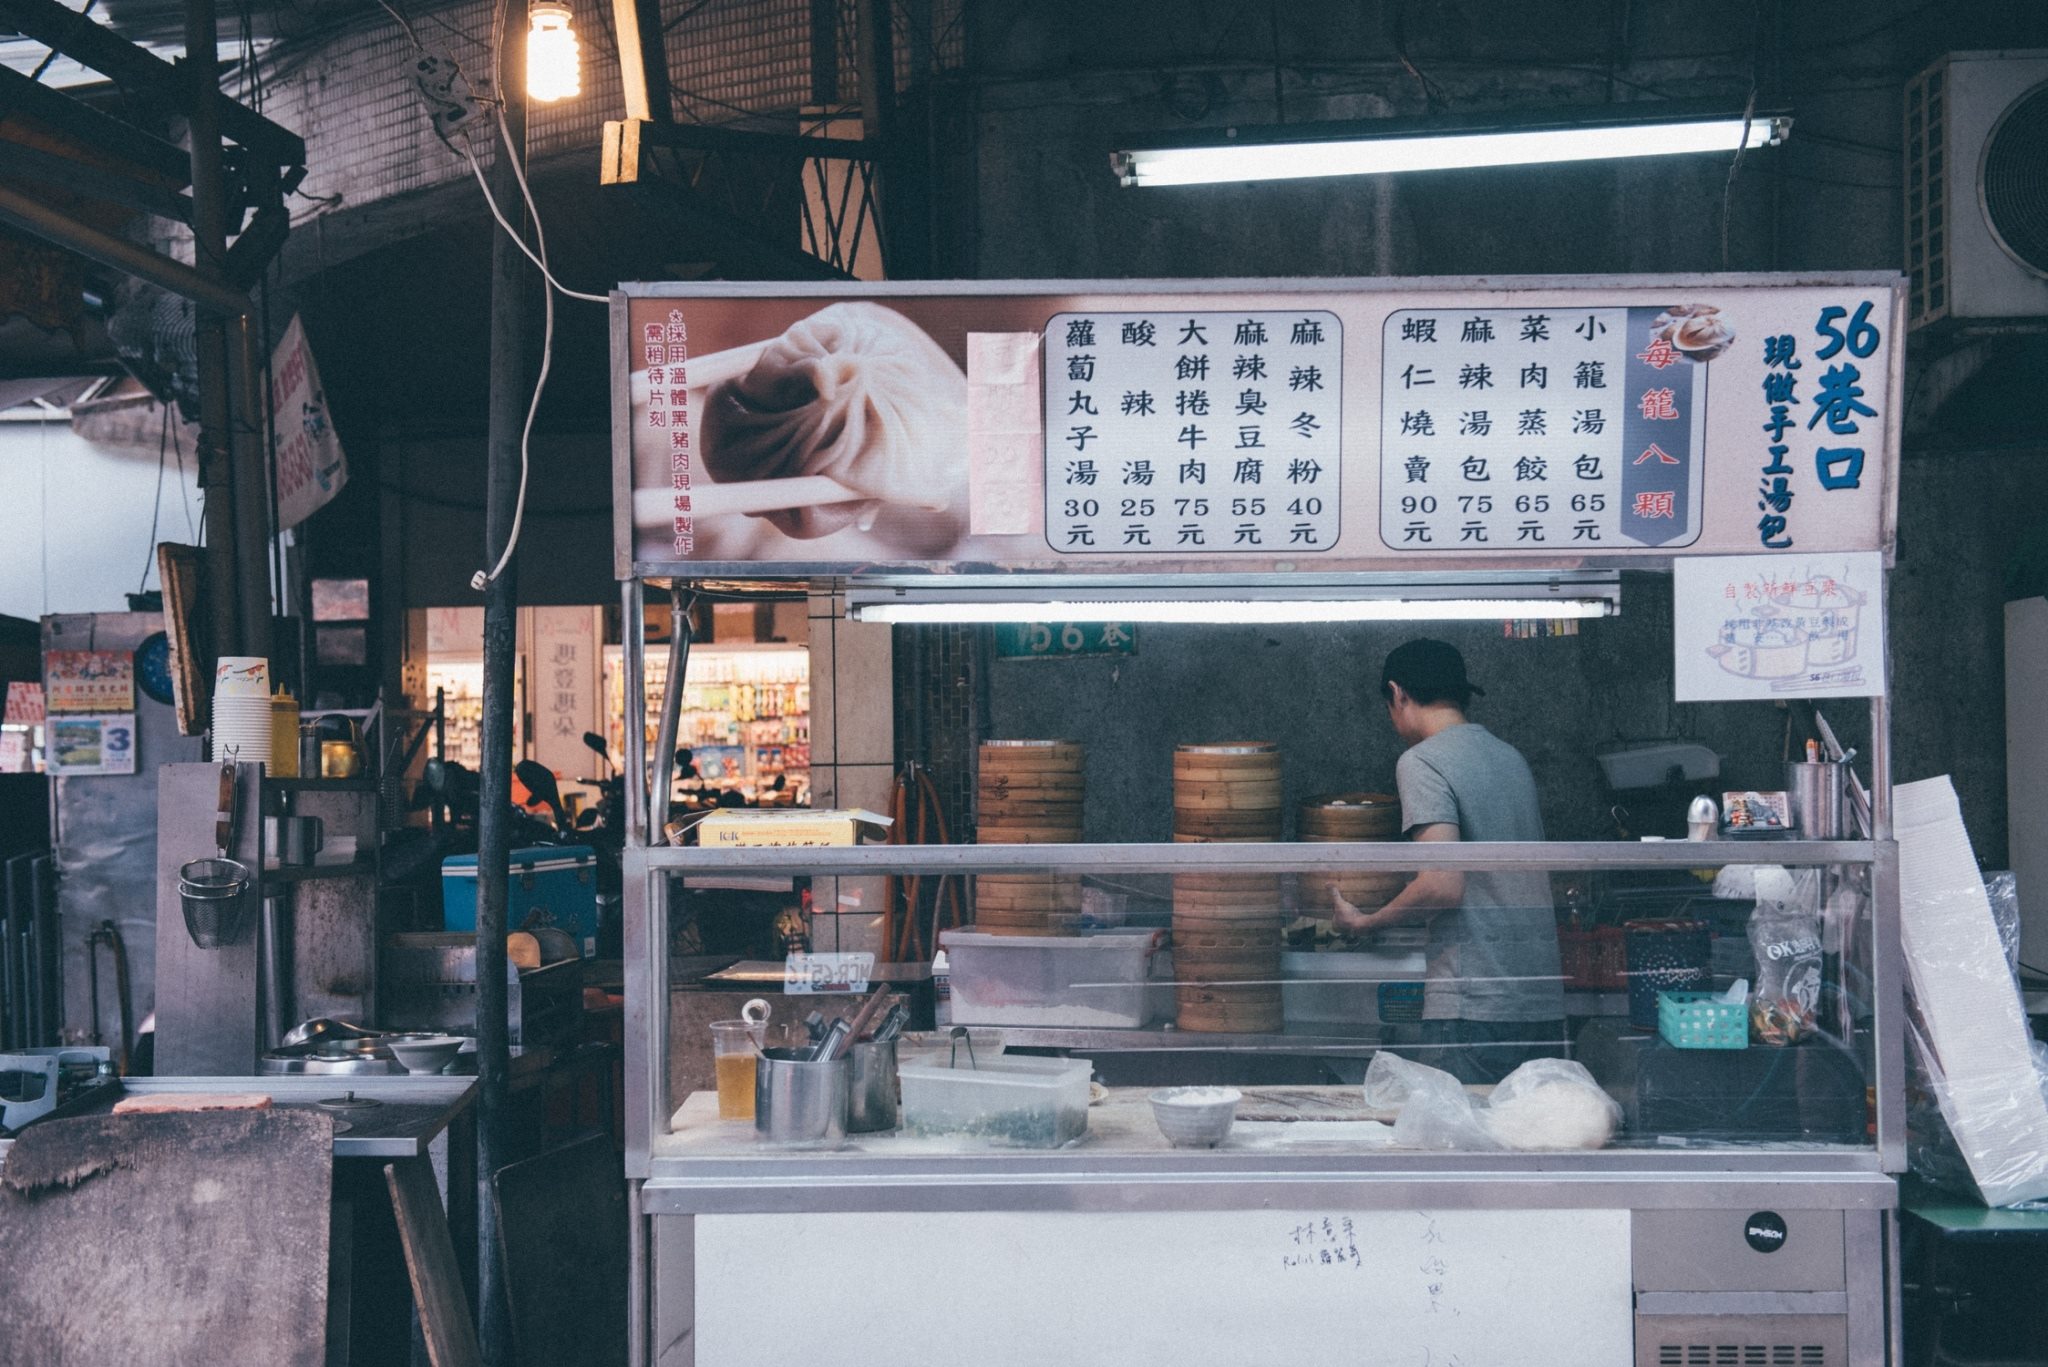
1193	433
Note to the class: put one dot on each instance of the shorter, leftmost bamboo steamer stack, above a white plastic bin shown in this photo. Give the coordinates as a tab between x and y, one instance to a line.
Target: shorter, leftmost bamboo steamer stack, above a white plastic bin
1029	794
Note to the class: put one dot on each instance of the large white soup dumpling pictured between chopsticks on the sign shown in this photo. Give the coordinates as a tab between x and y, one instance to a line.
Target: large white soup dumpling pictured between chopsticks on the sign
855	392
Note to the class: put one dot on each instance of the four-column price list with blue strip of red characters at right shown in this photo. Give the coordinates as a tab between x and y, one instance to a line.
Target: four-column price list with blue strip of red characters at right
1543	429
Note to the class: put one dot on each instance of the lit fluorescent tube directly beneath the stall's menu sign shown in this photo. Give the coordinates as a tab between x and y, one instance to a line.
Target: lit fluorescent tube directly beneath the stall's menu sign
939	610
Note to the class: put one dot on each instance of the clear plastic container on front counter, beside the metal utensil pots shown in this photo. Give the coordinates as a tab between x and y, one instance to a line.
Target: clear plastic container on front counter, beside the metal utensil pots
1005	1104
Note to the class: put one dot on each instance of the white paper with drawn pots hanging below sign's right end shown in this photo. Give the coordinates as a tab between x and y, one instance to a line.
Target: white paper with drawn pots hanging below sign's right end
1779	626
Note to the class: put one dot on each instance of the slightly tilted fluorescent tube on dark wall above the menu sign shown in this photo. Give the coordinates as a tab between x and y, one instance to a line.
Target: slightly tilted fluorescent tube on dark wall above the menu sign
1293	159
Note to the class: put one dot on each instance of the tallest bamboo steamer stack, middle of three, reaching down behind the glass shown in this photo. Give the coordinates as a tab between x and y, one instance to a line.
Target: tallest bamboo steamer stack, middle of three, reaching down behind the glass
1228	925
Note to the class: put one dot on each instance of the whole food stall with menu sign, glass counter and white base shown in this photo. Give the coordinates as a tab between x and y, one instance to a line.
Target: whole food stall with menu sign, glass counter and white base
1287	452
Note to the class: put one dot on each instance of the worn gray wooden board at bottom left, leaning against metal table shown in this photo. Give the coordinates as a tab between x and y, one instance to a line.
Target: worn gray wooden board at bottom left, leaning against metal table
167	1239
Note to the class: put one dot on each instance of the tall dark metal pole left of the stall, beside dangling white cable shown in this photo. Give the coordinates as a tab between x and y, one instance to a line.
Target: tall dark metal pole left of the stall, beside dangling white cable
509	395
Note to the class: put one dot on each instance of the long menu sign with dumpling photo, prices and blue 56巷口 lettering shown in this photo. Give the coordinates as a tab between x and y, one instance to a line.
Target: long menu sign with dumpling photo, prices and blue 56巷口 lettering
1279	427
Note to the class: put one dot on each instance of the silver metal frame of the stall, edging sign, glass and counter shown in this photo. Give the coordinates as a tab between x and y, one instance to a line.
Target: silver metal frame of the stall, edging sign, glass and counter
1666	1192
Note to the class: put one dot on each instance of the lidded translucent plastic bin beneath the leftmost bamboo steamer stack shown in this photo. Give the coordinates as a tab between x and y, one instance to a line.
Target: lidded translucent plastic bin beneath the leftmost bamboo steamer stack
1109	981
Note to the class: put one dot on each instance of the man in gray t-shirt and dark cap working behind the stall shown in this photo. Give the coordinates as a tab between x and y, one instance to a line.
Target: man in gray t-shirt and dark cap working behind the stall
1494	995
